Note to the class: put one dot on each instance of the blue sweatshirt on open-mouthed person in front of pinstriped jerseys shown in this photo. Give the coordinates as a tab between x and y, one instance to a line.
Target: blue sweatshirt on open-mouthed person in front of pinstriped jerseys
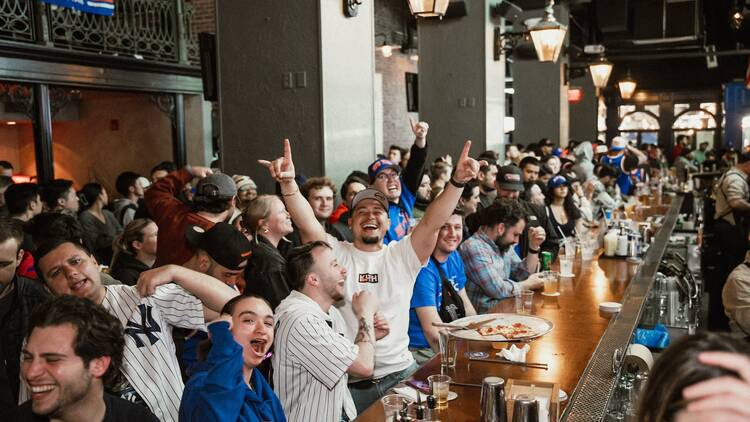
217	390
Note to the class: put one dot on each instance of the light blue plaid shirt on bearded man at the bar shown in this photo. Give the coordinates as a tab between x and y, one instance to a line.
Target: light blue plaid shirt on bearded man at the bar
490	274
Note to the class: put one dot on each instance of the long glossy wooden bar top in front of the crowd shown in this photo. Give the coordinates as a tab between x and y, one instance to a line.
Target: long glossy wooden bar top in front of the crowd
578	327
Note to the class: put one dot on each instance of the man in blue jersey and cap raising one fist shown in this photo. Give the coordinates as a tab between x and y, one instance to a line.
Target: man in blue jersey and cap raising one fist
400	189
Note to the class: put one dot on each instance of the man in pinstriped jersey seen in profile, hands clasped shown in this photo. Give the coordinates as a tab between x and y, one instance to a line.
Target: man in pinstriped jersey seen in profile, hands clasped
313	359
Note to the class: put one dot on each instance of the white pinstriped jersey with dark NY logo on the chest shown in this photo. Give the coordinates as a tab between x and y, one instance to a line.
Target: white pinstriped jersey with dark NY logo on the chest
149	361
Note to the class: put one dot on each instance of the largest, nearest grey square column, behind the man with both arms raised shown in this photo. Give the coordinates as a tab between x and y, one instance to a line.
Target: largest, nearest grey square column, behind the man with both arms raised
299	70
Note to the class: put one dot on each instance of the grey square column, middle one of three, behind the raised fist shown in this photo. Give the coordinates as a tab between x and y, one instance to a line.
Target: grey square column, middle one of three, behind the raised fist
461	86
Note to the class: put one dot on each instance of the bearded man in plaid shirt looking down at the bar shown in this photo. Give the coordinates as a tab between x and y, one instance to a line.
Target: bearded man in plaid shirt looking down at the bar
492	265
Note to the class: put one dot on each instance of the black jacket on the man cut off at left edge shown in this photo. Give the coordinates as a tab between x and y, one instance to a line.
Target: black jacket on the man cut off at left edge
27	294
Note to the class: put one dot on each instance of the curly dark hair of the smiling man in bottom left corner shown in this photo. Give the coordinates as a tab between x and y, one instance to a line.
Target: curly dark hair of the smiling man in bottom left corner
98	333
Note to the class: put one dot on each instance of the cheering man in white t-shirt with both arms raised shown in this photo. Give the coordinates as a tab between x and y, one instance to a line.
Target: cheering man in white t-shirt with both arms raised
388	271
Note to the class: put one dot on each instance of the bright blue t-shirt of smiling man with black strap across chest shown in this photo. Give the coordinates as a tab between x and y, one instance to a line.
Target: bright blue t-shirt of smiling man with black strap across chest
428	291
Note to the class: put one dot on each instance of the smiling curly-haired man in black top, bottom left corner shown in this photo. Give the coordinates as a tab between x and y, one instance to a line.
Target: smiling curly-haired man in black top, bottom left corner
74	350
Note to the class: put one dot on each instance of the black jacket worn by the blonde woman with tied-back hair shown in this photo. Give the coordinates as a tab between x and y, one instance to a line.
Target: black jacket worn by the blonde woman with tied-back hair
265	274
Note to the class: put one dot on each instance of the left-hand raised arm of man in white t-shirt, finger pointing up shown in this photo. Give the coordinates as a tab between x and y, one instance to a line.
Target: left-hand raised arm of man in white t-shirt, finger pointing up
282	170
